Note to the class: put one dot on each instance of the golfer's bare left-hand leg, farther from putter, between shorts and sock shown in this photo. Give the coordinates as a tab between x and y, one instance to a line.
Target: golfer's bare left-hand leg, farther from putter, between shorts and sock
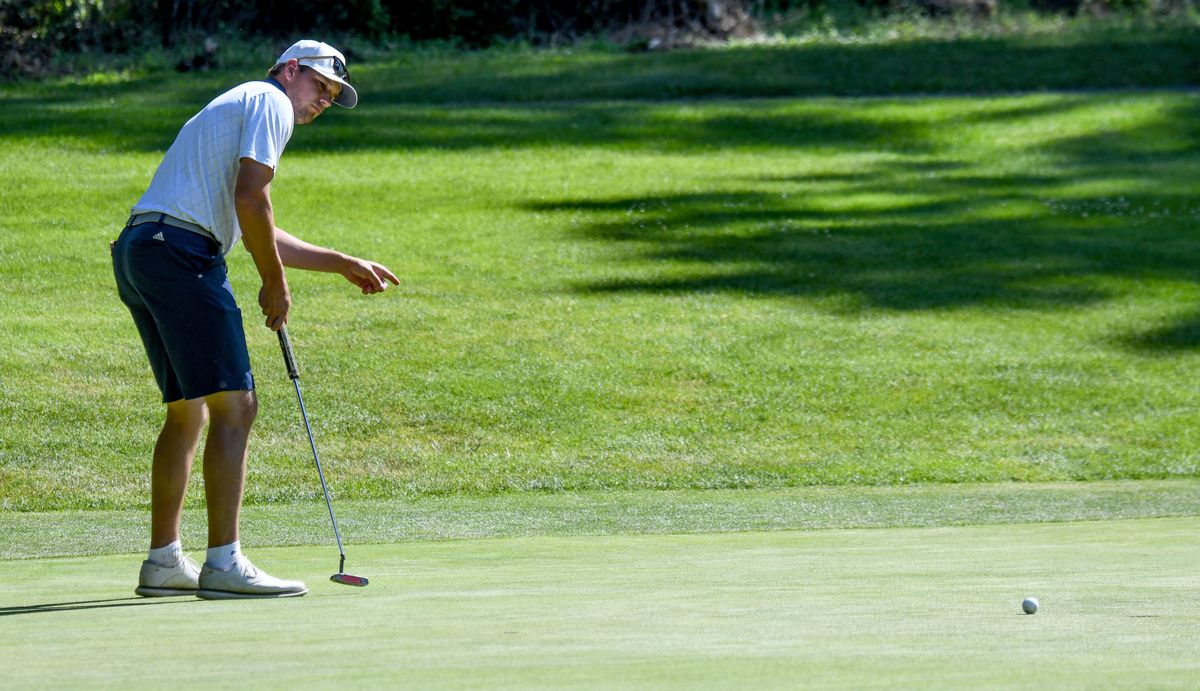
173	458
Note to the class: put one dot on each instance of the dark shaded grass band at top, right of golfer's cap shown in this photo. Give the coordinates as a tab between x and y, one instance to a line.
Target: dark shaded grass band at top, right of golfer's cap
1108	61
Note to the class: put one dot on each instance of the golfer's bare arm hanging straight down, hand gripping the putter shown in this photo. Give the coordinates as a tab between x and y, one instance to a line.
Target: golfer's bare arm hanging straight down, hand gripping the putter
253	201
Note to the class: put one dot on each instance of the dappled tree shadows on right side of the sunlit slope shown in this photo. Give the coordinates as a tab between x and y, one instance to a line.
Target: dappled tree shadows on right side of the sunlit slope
927	233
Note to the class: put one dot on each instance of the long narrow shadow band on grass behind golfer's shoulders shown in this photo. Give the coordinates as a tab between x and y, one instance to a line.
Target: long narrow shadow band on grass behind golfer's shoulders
153	127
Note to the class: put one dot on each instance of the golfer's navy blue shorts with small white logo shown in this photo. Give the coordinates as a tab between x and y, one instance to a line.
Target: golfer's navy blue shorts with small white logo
177	287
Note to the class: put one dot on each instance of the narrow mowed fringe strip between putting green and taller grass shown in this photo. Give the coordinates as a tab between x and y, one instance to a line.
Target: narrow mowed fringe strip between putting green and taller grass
437	519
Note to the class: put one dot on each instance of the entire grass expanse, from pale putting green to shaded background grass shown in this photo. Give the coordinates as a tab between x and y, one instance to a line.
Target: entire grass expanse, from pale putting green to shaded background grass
853	314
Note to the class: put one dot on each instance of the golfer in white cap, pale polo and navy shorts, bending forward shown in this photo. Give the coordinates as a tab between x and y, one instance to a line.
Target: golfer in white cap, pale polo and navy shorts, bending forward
212	190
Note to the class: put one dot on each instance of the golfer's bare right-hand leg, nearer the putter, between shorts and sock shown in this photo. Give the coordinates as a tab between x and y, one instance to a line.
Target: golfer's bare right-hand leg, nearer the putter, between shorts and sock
232	414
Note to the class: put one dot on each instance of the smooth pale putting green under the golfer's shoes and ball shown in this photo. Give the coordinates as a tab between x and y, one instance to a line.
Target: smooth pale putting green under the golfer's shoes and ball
854	609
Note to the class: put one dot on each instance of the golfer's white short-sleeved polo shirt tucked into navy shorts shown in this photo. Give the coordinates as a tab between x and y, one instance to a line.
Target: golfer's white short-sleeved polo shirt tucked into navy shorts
199	176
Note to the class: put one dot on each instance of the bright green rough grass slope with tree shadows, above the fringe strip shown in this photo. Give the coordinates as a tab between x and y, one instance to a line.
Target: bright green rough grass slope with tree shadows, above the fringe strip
625	292
